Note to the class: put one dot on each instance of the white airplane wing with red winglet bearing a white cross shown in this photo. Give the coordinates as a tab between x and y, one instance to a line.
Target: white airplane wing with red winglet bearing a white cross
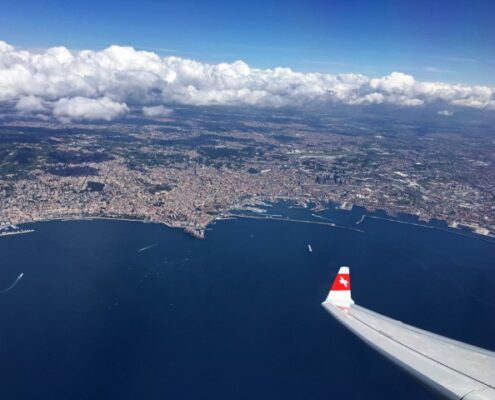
455	369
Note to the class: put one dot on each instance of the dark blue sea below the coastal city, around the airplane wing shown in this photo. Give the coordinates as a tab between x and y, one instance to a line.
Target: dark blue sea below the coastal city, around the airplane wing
234	316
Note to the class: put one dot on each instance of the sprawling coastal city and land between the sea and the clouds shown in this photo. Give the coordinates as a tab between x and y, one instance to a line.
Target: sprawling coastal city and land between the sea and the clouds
194	166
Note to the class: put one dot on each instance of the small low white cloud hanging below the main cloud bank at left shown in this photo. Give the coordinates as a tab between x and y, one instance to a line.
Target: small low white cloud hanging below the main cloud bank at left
83	108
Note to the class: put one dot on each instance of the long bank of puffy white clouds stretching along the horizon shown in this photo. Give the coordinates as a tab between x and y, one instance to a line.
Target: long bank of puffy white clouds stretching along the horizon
101	85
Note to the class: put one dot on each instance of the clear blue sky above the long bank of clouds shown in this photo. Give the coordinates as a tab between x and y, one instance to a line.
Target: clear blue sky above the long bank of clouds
451	41
